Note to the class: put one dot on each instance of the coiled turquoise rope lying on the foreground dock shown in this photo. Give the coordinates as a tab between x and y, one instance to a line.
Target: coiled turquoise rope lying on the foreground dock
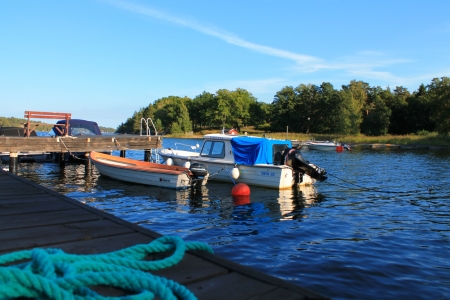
54	274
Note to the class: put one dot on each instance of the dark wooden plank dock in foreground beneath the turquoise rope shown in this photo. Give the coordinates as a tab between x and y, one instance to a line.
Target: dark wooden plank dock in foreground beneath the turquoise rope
32	216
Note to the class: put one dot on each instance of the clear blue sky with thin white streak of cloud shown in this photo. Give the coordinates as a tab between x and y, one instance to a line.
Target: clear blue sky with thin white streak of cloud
103	60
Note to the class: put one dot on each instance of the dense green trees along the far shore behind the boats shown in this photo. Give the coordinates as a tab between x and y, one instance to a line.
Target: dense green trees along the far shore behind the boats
321	109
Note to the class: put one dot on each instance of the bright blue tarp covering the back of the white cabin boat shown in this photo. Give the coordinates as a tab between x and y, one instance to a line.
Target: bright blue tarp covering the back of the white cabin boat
251	150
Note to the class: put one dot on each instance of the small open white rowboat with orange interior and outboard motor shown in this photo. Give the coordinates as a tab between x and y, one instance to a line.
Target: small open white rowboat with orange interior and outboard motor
148	173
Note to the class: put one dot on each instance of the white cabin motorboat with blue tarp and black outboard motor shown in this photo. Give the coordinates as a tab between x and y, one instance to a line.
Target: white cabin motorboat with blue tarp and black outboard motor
252	160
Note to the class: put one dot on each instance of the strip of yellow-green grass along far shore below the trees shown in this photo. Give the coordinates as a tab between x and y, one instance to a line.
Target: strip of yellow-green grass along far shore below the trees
422	138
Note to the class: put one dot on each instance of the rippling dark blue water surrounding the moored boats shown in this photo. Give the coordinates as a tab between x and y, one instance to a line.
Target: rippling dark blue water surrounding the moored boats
338	238
